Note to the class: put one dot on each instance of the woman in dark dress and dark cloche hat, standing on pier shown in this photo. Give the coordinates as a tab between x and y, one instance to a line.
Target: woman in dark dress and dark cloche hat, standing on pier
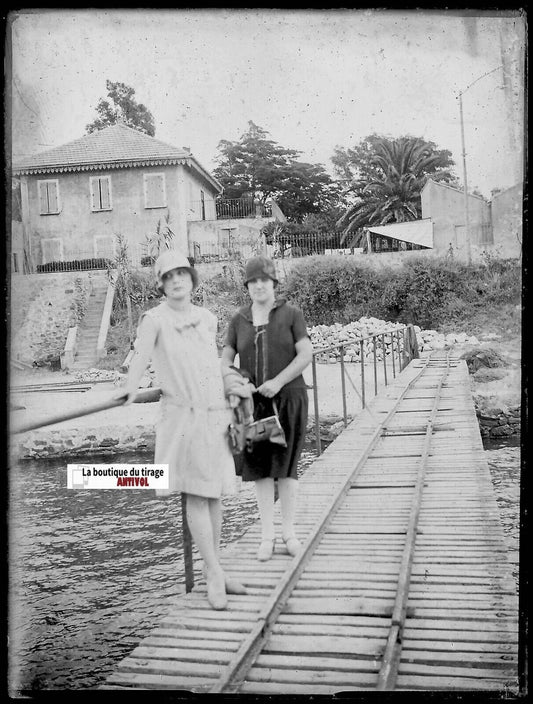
271	339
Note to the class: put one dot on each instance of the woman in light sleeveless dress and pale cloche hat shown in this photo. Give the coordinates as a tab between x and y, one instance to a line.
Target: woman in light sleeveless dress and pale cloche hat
179	338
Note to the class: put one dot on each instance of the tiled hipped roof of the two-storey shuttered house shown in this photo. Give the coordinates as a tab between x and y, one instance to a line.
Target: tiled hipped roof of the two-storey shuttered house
116	146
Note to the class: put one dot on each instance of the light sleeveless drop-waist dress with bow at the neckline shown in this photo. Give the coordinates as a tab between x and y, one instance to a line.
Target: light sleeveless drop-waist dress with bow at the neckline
191	431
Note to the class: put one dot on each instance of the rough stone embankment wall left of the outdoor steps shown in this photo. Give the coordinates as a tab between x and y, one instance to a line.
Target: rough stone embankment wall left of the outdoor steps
44	307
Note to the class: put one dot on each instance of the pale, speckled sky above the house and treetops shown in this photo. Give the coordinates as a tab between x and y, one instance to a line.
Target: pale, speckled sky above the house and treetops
313	79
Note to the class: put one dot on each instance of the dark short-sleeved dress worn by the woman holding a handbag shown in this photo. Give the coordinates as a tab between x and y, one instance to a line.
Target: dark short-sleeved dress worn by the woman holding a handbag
263	352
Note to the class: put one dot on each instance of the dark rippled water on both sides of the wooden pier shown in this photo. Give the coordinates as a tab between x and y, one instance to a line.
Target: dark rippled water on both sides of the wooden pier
91	571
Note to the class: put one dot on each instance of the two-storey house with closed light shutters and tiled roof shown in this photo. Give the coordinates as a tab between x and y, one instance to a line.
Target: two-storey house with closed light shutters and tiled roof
77	197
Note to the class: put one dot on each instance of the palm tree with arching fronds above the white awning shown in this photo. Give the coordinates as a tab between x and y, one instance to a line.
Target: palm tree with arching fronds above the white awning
404	166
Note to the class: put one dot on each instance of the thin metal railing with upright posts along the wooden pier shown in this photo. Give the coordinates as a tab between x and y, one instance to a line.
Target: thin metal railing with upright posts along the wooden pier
392	350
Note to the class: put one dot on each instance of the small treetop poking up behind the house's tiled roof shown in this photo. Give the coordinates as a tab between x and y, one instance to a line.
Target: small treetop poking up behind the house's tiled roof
122	107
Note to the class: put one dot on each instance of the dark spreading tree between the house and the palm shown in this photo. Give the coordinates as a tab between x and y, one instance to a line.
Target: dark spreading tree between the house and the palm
258	167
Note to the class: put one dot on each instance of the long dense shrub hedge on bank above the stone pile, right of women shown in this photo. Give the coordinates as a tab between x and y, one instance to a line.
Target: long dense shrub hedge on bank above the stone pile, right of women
423	291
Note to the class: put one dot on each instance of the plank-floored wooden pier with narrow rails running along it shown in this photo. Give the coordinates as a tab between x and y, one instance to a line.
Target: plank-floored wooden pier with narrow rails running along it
403	582
